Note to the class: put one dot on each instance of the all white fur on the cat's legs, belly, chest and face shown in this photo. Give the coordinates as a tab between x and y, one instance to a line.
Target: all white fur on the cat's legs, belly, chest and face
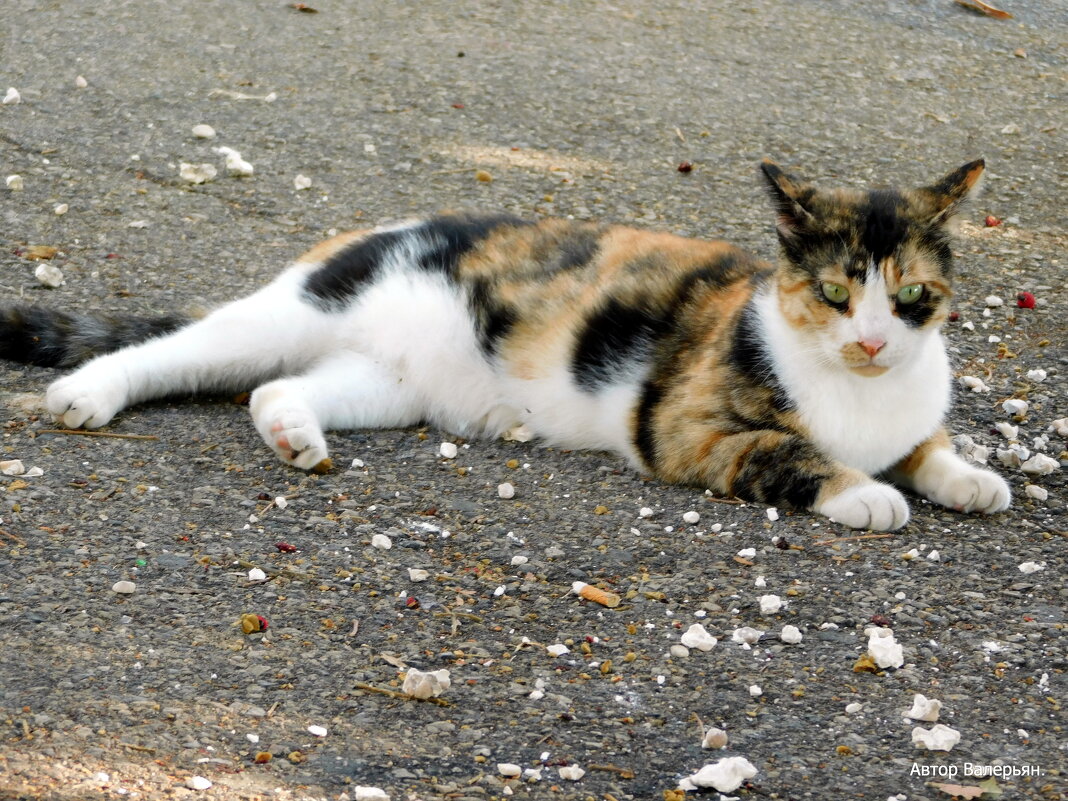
406	351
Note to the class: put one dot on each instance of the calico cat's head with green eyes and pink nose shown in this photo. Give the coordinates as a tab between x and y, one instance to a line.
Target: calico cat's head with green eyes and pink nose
866	276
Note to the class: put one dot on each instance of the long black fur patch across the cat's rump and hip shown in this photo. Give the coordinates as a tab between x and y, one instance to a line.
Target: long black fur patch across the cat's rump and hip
438	244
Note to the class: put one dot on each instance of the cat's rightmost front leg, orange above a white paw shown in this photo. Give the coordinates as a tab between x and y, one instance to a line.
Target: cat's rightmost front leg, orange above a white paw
939	475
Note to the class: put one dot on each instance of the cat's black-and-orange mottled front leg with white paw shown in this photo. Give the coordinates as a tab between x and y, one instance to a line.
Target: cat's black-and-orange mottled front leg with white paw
781	468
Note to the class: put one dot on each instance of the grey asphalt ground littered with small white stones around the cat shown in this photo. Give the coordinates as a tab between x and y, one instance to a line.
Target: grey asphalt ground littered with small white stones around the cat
585	109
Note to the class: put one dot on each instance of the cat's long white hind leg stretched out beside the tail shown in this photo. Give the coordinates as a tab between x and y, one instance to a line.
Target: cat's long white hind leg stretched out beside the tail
233	349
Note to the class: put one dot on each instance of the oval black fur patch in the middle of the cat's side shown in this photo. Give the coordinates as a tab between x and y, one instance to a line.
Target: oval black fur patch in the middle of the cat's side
615	336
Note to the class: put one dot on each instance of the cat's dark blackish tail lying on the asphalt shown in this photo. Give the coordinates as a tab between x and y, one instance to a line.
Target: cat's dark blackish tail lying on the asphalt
33	335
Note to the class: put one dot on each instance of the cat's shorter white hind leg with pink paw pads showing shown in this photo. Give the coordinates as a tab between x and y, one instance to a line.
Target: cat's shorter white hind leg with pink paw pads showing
347	390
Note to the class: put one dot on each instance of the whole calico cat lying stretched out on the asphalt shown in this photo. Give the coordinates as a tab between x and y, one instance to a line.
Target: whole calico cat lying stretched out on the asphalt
790	385
